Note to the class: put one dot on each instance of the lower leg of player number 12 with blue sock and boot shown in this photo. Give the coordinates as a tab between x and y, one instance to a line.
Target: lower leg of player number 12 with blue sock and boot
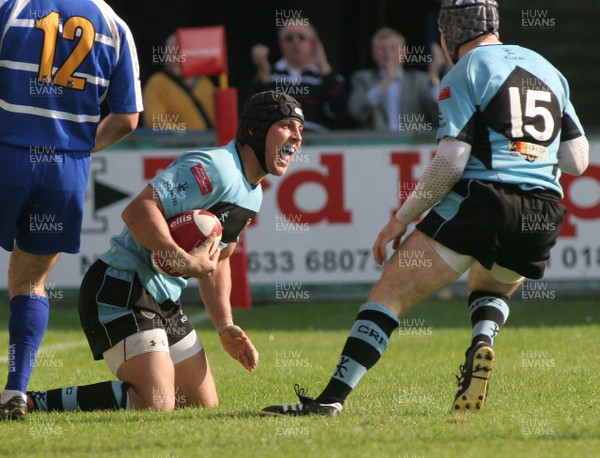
29	310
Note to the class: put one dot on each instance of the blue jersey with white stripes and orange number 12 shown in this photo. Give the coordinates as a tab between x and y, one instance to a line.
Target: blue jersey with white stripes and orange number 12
58	60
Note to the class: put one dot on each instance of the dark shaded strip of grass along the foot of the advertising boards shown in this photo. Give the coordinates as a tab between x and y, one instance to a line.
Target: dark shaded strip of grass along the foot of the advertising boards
337	315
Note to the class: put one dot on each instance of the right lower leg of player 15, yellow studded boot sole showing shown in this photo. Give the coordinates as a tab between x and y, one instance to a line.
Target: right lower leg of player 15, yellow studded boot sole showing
489	292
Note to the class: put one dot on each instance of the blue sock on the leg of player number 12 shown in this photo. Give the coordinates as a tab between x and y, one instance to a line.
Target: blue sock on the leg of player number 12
26	326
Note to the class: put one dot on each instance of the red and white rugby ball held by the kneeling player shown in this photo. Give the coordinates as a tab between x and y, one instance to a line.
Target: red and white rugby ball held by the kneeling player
189	230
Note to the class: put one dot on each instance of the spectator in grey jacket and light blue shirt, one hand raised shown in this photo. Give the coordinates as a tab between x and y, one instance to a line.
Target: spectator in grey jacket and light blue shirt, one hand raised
380	97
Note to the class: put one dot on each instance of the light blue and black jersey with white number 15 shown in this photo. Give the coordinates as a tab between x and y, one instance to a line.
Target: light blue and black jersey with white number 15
512	106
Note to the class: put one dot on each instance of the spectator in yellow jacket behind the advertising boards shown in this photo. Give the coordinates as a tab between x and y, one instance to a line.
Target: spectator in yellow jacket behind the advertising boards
173	103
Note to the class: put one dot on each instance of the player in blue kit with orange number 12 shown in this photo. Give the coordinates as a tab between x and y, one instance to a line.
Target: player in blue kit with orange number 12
59	59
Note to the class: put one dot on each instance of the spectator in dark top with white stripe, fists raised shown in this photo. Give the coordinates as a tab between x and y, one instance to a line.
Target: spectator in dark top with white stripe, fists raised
304	73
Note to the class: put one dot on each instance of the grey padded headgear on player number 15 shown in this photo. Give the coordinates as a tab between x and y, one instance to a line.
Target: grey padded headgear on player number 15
462	21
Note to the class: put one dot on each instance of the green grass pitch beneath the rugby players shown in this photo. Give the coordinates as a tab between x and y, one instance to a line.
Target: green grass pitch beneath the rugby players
543	399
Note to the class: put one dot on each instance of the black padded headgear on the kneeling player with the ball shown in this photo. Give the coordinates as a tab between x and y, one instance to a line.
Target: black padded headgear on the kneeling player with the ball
260	112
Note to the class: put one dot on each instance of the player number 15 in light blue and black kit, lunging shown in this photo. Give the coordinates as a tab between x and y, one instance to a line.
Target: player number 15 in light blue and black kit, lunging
507	130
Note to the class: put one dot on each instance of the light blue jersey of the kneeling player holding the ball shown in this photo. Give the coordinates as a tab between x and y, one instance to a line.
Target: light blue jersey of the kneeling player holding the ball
209	179
